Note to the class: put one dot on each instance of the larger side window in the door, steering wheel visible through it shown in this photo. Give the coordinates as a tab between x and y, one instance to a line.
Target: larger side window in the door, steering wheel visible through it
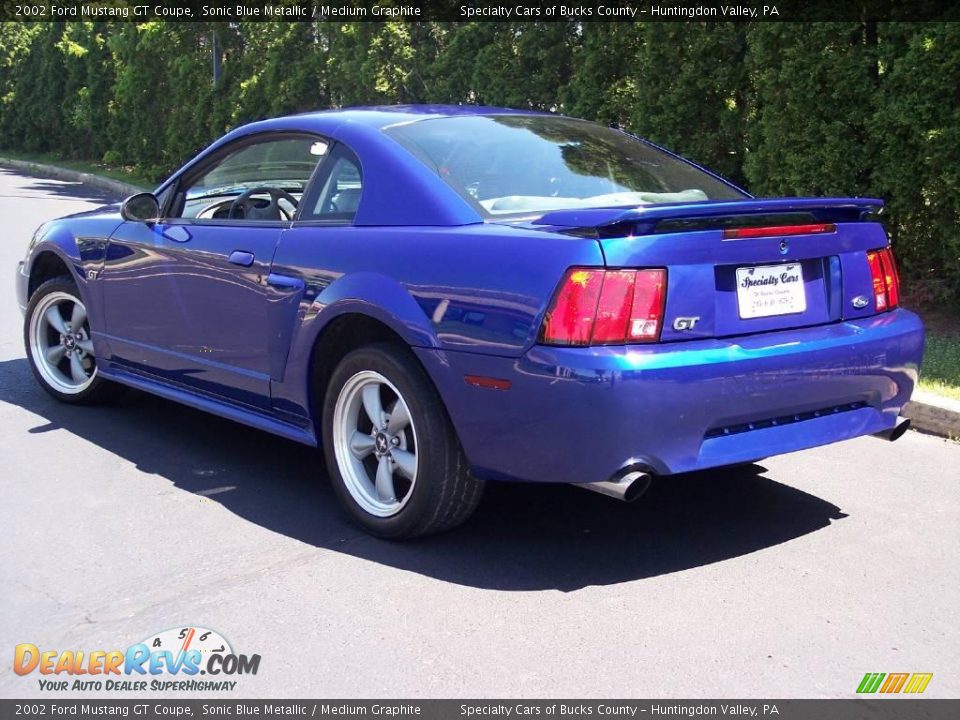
260	180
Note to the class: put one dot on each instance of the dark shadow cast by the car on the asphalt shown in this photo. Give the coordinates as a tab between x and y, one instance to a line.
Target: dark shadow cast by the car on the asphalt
523	536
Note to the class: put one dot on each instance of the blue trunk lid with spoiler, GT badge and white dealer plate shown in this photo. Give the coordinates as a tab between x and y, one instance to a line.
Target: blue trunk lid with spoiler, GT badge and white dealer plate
806	265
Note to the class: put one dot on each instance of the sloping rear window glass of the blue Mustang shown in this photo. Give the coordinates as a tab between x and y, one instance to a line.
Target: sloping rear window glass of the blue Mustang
526	164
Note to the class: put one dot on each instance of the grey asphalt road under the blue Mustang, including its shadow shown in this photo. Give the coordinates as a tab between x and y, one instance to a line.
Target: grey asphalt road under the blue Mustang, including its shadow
790	579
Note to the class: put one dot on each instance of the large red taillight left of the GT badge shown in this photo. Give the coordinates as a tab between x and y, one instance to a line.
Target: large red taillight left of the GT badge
606	307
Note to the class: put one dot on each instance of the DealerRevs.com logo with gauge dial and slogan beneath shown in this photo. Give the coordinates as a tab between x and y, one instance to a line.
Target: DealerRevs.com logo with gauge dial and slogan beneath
168	661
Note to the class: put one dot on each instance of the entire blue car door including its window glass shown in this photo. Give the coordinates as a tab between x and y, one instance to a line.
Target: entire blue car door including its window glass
190	299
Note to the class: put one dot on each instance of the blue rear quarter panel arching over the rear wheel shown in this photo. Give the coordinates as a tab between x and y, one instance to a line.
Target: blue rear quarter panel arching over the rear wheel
479	288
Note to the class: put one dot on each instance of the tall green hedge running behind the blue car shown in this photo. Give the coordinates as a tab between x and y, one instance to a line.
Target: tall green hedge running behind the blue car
819	108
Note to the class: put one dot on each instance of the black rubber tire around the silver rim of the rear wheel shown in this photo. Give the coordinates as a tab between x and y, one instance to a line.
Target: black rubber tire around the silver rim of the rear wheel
444	494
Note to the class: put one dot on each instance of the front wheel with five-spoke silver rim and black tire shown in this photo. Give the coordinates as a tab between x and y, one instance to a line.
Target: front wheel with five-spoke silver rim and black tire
56	333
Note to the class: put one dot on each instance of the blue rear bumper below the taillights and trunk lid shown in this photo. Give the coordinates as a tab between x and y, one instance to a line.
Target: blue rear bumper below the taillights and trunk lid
581	415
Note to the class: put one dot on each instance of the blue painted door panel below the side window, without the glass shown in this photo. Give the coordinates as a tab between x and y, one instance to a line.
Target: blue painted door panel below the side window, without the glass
169	292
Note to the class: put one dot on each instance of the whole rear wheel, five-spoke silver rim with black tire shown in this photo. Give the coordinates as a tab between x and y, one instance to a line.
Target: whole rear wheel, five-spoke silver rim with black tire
393	457
